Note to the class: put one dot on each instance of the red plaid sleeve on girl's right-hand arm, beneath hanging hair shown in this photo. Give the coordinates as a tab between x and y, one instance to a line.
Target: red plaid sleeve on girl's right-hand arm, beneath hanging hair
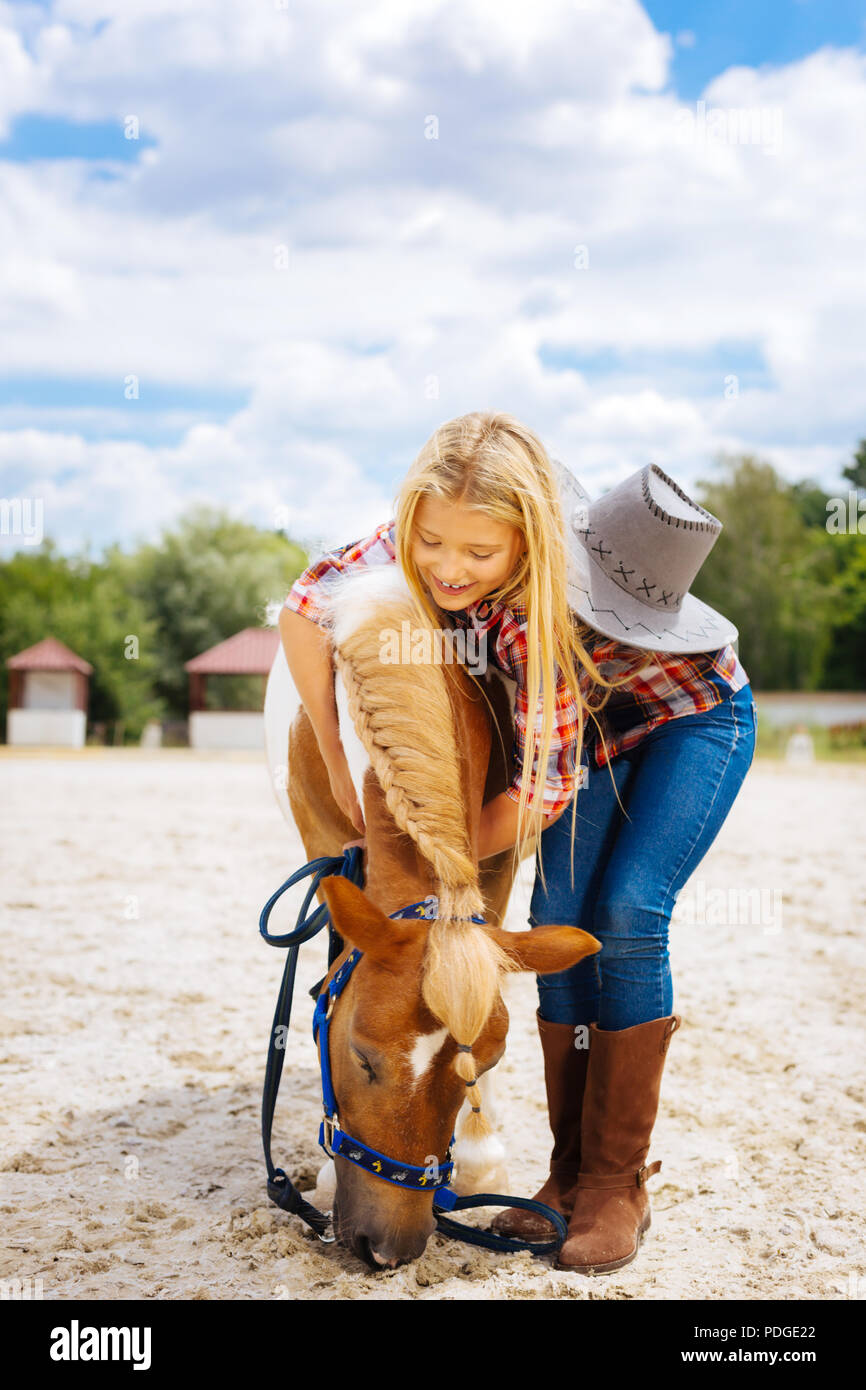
561	775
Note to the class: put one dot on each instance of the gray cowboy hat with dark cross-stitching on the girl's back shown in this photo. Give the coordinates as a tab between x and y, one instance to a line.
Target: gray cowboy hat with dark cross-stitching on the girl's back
633	555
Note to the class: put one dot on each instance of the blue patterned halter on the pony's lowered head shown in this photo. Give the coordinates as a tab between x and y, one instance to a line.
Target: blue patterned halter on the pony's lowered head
332	1138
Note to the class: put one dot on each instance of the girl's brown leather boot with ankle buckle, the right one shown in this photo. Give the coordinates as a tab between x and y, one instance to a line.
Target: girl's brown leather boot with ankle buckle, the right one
611	1203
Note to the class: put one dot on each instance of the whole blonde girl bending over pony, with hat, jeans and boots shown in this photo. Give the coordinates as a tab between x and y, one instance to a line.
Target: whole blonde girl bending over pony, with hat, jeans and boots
487	536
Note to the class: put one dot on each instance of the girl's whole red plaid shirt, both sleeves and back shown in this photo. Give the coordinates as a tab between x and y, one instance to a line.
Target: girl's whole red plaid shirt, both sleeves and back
662	686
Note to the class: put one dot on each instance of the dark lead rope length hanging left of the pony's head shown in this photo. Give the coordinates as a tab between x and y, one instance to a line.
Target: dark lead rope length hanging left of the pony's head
281	1191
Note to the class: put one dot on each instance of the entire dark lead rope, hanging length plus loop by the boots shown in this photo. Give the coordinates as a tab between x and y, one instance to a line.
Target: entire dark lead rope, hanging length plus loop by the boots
281	1191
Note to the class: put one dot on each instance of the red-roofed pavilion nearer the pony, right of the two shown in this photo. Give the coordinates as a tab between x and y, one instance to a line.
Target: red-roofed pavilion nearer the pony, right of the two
250	653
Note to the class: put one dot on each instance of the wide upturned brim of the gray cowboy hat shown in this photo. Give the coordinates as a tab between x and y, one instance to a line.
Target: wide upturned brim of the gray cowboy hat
603	604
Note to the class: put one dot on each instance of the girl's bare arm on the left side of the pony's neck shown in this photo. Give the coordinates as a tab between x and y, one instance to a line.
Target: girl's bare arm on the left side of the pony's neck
308	651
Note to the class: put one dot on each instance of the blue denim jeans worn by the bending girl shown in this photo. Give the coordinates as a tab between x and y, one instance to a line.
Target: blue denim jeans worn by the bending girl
678	787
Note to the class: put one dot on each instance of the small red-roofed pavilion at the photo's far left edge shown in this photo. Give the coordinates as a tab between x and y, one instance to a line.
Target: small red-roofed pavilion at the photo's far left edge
48	696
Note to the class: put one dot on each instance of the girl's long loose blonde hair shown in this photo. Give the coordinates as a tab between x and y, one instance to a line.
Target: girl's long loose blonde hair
493	464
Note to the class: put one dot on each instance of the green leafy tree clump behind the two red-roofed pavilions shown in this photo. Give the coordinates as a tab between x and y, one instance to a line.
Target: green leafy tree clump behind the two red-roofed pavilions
138	616
